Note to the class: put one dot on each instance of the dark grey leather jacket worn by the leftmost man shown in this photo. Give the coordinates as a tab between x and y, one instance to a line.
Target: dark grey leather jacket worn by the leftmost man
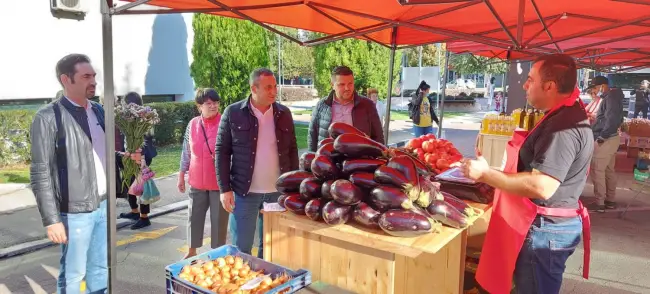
45	173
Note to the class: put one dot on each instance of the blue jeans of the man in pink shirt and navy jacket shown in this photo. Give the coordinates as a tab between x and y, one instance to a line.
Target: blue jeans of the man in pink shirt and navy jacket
246	217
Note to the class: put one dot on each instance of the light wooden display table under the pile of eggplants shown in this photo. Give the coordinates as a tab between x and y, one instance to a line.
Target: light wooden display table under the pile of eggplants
367	261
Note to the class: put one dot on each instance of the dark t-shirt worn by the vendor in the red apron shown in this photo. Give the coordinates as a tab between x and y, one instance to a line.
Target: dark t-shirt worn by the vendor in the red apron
560	147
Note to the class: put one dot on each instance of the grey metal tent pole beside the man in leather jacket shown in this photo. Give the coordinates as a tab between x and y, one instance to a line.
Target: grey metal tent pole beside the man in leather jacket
109	106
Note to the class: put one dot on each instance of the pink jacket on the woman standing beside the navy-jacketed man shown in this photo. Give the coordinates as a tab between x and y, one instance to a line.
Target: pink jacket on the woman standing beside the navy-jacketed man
202	174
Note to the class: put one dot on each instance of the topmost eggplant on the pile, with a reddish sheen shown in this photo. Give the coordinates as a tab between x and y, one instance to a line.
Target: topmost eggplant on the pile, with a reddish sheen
355	146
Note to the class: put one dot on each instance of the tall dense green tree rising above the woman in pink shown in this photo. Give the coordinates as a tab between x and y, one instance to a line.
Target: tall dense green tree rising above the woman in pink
226	51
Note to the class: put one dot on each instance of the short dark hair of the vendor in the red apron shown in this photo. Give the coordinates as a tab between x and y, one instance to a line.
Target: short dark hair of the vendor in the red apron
559	68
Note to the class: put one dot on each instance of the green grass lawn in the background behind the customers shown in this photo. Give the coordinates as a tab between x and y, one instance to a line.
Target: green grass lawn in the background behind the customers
165	164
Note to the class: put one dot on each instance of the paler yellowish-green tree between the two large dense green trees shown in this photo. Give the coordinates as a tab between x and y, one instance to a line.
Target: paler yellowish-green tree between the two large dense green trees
297	61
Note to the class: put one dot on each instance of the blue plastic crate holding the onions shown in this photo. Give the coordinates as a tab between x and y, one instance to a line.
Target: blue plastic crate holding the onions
175	285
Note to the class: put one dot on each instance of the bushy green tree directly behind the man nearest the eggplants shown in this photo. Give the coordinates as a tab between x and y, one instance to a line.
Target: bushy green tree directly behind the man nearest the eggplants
368	61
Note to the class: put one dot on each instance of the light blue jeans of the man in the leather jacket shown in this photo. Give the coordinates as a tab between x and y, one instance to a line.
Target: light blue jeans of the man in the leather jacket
85	254
